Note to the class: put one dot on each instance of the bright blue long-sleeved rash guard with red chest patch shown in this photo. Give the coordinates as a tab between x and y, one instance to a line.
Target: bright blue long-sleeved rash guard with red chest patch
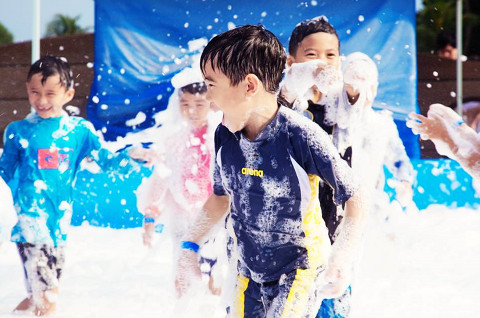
47	154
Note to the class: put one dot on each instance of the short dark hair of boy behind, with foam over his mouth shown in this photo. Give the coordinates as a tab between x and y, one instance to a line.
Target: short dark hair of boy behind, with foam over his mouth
307	27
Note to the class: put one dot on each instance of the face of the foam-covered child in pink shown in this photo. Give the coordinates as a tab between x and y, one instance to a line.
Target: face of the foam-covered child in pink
194	108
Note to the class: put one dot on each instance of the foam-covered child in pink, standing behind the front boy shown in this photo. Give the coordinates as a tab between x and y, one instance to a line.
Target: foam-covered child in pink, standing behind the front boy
181	156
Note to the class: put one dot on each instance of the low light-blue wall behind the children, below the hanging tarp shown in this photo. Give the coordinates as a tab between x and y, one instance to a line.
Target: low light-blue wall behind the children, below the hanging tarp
103	200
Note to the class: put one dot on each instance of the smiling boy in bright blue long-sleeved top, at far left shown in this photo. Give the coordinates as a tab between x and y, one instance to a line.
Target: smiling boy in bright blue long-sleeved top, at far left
46	149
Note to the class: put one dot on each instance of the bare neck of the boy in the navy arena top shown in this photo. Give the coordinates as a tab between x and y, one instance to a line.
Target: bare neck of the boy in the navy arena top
266	108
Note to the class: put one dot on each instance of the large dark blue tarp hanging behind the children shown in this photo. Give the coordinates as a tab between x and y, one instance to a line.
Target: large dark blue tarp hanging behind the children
140	45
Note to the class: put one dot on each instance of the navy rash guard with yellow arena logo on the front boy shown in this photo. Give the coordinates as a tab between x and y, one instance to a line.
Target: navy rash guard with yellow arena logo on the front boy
272	182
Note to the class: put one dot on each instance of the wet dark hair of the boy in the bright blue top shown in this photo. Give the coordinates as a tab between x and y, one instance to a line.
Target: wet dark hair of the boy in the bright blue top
50	65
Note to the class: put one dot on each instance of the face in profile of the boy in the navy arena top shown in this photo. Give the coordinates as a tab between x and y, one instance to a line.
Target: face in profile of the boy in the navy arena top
231	100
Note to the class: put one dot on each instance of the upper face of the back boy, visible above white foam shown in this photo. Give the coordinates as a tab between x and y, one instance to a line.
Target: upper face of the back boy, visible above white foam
317	46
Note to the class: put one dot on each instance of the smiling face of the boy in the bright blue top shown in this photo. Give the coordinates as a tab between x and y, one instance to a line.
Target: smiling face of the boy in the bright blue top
49	98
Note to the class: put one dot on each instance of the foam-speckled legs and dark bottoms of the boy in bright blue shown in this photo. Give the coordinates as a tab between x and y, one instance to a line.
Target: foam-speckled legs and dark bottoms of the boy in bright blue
43	267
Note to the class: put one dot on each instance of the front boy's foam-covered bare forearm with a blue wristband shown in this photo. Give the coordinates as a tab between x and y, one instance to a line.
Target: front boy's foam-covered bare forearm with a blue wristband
214	209
